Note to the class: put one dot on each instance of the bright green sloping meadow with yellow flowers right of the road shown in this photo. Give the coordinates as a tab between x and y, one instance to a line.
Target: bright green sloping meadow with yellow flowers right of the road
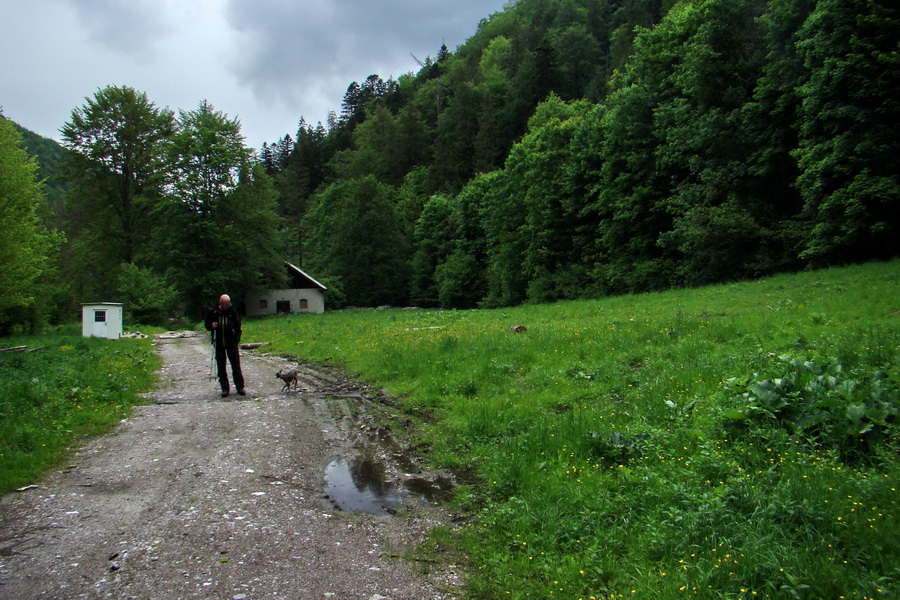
736	441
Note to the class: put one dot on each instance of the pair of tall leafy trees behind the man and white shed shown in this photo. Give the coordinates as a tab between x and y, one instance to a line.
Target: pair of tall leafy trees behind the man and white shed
169	208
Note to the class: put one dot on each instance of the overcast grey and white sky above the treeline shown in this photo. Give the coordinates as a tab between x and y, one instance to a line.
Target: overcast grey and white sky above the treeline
266	62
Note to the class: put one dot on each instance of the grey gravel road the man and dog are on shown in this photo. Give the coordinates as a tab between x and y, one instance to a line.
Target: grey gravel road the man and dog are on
196	496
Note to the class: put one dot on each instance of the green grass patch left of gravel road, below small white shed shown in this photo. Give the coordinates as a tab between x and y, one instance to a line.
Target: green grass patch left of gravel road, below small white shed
63	388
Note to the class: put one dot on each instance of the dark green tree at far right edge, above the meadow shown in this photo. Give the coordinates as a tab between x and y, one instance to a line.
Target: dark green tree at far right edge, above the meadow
849	126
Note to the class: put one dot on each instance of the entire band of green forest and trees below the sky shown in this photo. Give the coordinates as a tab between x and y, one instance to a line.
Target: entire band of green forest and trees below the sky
568	149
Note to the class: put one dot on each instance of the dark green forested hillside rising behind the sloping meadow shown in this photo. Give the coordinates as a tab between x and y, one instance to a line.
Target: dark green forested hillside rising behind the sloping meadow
588	147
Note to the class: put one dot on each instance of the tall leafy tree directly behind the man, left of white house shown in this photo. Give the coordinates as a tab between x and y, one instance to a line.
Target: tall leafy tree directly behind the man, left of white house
218	228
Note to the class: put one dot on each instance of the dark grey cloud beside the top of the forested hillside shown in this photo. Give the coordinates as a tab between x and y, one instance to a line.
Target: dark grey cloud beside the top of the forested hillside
292	52
